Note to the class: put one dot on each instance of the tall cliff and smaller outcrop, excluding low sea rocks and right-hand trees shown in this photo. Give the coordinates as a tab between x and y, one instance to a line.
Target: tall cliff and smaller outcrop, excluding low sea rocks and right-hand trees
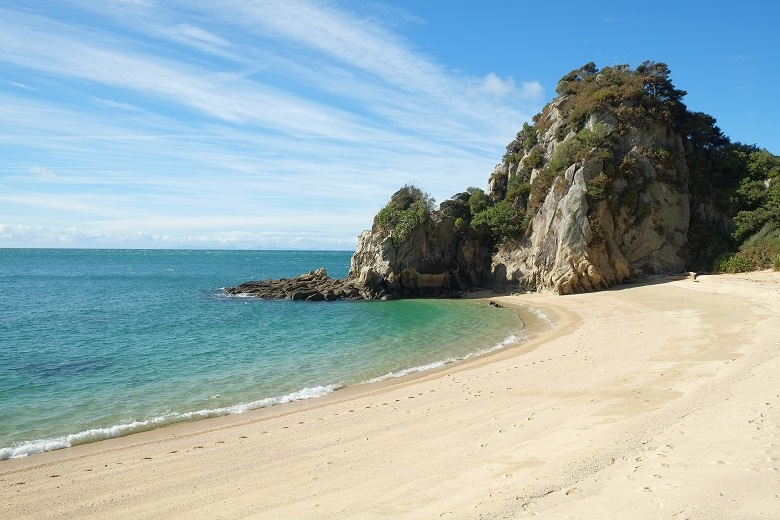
593	193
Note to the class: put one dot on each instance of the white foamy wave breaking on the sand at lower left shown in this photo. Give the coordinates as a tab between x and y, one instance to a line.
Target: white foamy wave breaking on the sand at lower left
24	449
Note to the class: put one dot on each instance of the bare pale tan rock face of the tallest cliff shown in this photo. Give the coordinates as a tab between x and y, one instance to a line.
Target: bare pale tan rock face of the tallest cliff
582	240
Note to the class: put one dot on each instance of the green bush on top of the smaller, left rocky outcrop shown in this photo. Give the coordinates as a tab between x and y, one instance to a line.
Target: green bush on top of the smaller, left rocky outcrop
407	210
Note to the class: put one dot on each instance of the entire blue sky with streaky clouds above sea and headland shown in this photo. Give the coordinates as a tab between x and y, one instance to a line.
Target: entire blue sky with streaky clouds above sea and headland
289	123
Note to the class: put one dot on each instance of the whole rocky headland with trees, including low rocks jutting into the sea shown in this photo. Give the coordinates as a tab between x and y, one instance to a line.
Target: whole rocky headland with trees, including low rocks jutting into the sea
615	180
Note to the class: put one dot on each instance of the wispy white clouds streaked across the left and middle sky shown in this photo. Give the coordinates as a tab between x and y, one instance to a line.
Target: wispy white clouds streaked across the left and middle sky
234	117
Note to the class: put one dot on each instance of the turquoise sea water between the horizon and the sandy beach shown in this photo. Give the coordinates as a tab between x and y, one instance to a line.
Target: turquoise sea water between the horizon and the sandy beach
102	343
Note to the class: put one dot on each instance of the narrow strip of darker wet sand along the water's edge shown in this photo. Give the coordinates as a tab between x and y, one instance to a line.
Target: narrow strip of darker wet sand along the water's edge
533	325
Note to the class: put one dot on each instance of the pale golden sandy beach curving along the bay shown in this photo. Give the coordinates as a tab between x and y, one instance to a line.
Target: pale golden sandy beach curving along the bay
657	400
